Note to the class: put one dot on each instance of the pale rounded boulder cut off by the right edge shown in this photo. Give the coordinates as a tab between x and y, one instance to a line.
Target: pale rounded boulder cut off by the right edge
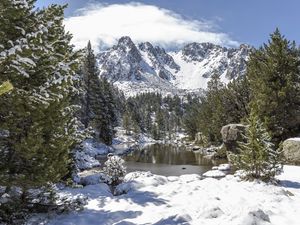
291	150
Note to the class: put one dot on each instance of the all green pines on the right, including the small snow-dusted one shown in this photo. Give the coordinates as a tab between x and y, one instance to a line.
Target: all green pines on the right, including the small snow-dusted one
266	99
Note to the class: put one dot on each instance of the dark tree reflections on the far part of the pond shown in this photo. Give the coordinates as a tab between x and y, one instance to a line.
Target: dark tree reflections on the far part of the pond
167	154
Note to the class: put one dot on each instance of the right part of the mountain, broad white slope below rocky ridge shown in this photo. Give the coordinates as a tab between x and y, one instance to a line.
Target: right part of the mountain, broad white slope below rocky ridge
198	61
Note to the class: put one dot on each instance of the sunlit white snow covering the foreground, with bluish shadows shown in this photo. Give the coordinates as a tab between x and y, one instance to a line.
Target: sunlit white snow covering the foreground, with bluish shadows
188	199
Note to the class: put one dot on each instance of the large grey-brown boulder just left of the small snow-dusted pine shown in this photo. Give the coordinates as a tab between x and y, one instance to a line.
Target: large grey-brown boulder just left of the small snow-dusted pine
231	134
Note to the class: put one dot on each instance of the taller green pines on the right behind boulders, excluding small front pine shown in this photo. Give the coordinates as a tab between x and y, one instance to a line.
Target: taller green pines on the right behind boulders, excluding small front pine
270	89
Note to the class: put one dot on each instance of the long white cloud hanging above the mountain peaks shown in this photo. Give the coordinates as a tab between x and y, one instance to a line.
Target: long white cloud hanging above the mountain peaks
105	24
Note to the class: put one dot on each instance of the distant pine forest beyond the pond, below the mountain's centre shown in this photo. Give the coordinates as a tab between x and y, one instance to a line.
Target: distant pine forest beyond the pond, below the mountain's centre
151	113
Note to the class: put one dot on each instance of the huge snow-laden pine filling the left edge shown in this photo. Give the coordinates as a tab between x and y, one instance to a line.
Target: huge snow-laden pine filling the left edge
36	56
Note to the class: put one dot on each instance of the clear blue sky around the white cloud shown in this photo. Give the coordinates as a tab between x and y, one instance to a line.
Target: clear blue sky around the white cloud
242	21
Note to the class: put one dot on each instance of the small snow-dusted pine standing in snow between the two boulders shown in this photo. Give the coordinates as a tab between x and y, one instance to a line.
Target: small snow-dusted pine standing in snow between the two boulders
257	156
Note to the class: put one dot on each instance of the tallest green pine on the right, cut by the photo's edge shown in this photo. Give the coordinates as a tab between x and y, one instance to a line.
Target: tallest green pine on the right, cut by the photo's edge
274	77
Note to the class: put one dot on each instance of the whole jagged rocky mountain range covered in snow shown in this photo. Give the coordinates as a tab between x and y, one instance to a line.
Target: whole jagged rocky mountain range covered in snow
144	67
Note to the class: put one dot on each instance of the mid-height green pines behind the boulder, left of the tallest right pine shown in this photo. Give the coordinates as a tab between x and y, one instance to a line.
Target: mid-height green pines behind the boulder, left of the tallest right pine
220	105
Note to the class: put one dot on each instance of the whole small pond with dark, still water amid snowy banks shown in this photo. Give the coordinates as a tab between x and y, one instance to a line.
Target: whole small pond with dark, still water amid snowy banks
168	160
